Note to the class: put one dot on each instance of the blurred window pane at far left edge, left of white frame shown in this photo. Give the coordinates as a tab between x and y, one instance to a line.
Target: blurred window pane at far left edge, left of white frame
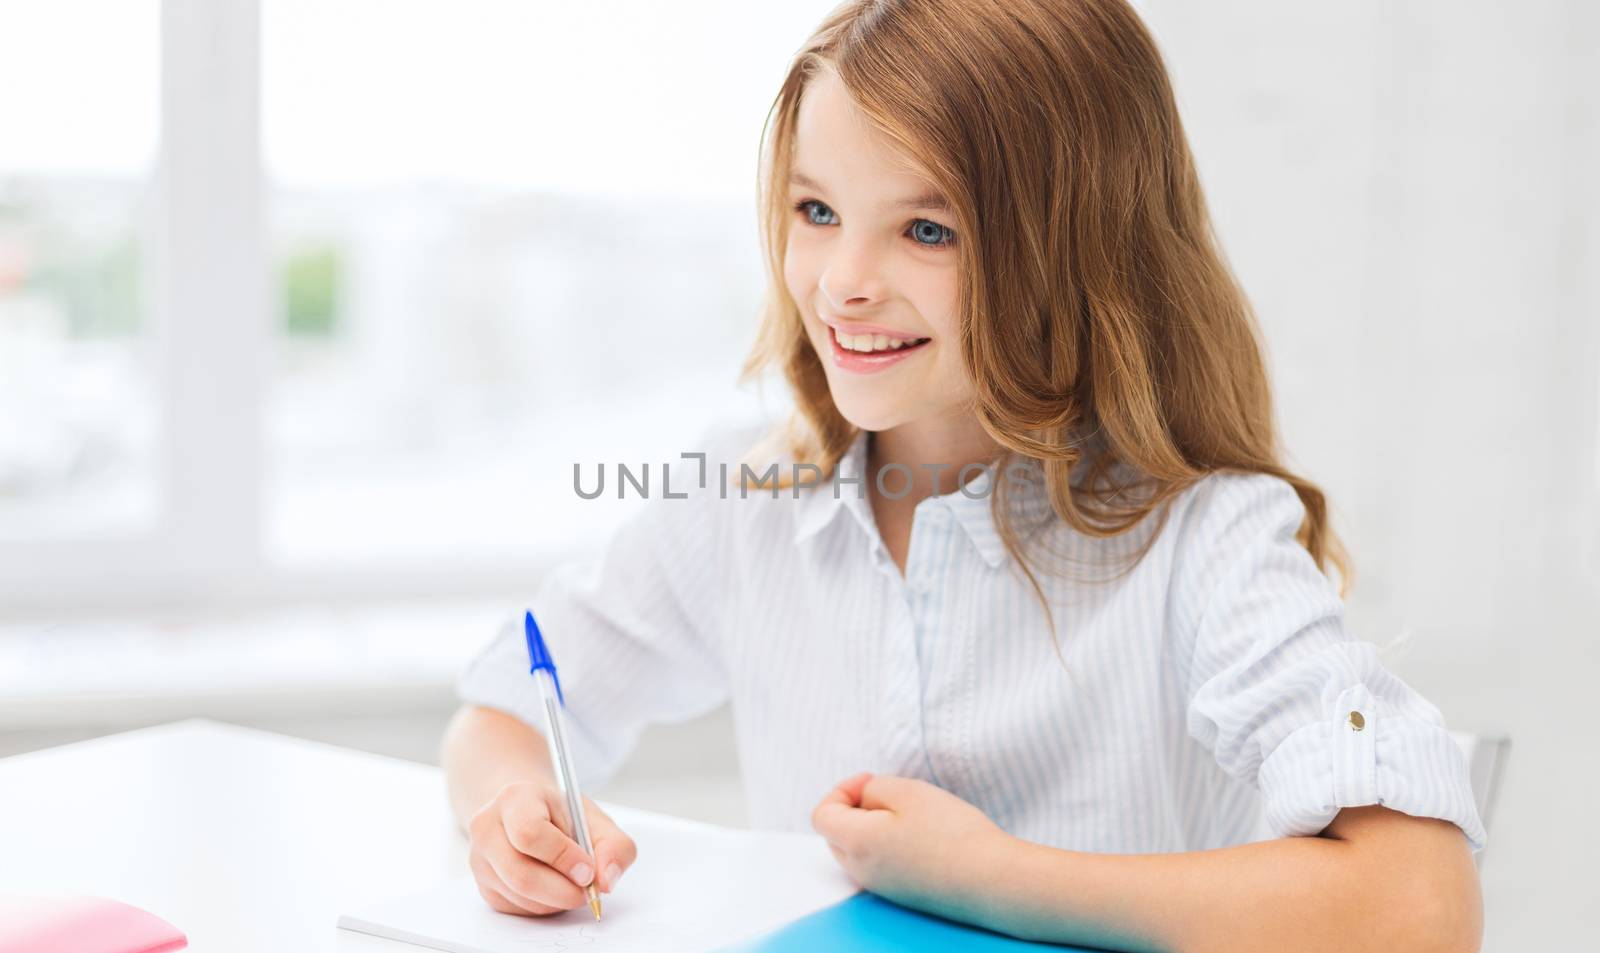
79	129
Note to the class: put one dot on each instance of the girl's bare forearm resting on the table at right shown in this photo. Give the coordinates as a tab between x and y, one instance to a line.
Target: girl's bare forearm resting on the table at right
1414	888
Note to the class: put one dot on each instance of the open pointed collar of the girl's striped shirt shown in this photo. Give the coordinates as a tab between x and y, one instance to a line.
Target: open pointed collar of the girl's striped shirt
1023	488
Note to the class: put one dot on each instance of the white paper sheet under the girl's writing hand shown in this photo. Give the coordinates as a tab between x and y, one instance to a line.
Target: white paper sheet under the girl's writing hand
694	888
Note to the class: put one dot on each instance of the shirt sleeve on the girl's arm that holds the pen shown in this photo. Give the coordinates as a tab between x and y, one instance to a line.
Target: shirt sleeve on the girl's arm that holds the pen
634	634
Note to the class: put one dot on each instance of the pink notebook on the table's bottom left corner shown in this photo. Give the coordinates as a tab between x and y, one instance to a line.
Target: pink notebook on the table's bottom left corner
82	925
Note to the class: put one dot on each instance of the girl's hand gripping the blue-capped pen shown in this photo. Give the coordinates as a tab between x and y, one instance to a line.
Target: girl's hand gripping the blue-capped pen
526	864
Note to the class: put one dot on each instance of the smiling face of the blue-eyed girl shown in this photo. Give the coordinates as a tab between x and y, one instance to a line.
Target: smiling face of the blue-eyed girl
871	263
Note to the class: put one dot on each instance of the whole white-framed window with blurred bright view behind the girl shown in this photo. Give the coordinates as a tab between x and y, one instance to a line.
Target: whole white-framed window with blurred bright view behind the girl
367	282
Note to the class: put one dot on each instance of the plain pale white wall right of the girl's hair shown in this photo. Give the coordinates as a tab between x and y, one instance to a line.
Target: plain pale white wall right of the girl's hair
1406	189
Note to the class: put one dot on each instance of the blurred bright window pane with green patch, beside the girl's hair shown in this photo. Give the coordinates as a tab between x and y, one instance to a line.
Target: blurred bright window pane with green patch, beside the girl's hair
508	237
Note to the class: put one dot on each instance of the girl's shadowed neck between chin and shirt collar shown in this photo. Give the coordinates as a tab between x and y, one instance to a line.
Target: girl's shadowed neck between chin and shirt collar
935	453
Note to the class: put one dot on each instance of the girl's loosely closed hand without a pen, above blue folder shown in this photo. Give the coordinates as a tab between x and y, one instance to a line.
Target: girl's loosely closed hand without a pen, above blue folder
914	843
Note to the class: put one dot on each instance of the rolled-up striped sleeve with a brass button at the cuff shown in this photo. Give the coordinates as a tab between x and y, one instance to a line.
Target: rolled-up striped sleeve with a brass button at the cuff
1279	690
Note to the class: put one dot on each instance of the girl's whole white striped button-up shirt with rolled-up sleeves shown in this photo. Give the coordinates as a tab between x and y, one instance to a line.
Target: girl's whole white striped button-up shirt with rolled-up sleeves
1210	696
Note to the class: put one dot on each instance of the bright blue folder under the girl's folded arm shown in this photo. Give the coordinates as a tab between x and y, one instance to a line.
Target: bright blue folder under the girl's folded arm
871	925
